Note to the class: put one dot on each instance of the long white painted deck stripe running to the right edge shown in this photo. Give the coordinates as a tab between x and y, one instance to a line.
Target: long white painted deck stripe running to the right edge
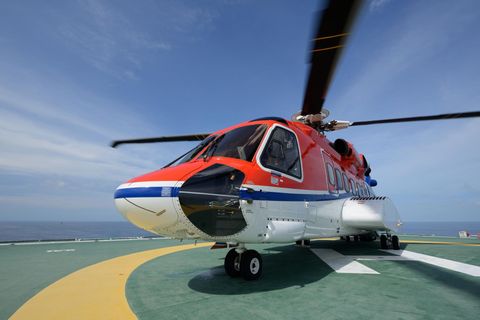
439	262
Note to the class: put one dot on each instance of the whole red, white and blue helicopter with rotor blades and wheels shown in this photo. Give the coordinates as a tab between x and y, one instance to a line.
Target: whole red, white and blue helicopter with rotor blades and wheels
270	180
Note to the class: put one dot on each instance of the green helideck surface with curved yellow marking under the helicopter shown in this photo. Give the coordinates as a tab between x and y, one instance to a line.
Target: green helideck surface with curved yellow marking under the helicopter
166	280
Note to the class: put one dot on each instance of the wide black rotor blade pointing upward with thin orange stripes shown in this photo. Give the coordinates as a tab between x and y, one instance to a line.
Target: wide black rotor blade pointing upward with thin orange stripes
333	28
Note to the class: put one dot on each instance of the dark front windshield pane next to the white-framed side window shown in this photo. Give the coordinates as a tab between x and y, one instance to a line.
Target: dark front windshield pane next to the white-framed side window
240	143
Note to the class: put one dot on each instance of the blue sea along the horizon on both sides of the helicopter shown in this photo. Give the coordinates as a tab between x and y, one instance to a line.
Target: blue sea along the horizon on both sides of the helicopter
23	231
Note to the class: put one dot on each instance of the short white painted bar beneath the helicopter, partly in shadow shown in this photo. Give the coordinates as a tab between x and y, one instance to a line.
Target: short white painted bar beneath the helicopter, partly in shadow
341	263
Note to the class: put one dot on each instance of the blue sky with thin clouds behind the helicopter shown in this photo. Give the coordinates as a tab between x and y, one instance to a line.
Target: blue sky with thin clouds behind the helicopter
75	75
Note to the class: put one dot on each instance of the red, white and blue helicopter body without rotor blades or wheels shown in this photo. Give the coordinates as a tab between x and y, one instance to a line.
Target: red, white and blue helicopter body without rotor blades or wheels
258	181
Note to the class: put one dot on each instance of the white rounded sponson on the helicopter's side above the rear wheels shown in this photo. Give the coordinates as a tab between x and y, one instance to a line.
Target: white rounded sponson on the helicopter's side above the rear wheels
371	213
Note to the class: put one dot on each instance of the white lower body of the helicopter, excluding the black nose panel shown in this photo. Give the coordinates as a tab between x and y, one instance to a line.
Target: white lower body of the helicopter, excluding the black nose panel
283	218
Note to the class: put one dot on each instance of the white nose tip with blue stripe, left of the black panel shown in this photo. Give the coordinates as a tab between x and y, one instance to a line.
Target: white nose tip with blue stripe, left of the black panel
149	206
